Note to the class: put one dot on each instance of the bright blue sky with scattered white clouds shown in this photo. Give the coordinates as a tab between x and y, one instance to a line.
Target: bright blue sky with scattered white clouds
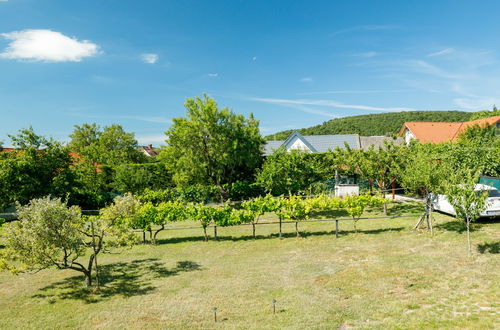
292	63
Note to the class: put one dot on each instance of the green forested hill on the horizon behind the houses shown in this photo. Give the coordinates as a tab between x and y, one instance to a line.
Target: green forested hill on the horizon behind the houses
375	124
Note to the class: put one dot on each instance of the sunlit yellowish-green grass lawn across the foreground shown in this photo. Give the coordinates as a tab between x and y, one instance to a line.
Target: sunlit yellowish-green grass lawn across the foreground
384	276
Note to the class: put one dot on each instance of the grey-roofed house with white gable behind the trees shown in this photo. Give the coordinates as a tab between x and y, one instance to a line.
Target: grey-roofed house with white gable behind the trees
325	143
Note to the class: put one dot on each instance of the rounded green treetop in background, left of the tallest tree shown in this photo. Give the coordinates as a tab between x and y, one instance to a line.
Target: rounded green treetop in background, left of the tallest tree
111	145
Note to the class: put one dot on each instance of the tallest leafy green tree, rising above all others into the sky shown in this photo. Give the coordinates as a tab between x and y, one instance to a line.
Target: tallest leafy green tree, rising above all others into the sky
212	146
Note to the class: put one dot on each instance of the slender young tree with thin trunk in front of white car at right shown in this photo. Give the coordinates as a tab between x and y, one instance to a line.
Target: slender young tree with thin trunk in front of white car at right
467	202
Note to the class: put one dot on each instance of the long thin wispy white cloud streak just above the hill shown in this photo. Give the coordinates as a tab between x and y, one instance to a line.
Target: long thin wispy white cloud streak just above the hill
327	103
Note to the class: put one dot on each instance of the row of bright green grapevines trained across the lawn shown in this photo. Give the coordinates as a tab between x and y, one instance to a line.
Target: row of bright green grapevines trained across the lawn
153	218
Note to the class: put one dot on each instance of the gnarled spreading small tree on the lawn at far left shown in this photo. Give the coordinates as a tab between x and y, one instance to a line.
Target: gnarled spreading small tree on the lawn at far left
51	234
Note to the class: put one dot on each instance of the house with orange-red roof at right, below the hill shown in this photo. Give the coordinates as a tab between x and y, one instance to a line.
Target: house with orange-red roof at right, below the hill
439	132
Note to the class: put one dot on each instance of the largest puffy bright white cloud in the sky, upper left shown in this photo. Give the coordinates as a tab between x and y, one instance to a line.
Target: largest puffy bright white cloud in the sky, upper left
46	45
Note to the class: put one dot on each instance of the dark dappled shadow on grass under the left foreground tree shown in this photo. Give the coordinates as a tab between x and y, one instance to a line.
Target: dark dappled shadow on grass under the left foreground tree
118	279
